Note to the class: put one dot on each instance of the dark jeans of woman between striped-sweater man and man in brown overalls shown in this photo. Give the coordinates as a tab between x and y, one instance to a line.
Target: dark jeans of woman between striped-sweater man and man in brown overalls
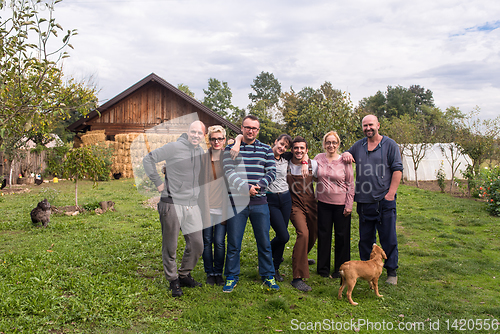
280	207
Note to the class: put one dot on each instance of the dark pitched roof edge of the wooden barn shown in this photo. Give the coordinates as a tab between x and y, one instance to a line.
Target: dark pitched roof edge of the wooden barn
80	124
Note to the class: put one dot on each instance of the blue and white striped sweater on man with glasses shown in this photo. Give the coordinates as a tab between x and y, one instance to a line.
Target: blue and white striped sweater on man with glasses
253	166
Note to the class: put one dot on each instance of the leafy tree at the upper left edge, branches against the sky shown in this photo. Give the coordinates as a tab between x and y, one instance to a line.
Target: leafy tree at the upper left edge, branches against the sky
32	89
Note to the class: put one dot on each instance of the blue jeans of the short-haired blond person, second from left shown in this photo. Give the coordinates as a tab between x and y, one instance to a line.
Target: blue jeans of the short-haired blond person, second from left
215	234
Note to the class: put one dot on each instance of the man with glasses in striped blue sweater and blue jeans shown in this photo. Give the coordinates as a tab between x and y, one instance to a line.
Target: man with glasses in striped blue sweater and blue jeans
249	175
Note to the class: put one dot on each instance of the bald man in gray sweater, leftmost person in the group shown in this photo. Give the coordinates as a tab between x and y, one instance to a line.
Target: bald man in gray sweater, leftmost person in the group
178	206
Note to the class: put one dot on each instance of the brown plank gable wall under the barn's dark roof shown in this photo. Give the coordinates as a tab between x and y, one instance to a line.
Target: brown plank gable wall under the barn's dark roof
151	105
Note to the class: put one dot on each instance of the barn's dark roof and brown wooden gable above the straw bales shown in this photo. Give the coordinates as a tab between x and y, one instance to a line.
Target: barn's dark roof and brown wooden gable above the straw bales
148	103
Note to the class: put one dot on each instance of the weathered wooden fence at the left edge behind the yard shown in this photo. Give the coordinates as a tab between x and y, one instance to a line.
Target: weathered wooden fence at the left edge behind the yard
30	163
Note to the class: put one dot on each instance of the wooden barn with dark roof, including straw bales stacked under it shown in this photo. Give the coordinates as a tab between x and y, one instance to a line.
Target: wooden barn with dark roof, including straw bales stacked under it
142	118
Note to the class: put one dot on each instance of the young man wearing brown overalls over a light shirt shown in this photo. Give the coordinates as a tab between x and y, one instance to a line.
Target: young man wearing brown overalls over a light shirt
304	211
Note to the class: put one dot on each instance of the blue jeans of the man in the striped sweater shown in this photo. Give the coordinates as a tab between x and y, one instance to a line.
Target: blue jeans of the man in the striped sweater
259	217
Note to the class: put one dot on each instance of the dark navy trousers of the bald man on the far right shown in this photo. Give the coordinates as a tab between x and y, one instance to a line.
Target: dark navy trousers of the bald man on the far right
381	217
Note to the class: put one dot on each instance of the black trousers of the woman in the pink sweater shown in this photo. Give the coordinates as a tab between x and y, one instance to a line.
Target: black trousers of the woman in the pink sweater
330	217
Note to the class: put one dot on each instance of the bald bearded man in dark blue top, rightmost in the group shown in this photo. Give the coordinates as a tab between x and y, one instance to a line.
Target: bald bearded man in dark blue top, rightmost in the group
378	173
